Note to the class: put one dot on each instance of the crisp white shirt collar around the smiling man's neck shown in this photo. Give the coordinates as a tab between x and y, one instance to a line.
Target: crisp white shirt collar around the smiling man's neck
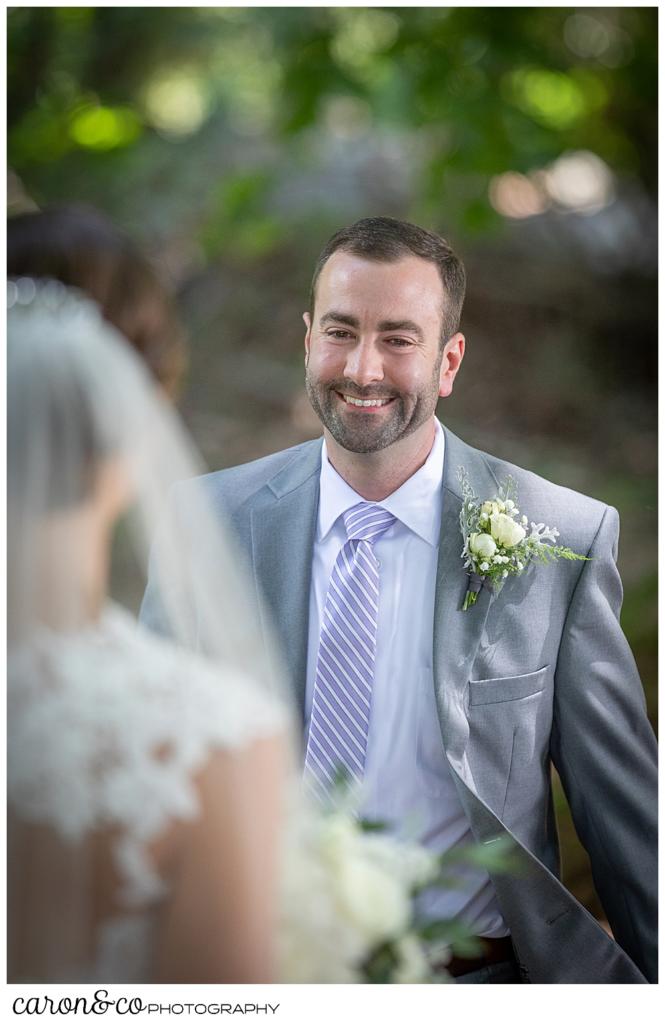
417	503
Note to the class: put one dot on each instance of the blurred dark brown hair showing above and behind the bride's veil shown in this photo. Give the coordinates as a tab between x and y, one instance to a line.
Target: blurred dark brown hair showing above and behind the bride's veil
81	248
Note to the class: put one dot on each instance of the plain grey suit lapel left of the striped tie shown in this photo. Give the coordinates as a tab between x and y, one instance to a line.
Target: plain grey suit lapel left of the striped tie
283	519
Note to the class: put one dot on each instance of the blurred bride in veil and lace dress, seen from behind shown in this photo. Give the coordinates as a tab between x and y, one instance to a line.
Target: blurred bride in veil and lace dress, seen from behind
147	784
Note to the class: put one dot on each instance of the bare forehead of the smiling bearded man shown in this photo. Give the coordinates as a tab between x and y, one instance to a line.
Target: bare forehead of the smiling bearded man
409	288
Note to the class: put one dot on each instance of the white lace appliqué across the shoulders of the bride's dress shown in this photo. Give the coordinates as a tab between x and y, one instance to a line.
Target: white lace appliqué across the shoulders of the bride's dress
108	730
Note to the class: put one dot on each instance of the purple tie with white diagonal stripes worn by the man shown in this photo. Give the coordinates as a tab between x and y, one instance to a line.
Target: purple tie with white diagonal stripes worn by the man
343	694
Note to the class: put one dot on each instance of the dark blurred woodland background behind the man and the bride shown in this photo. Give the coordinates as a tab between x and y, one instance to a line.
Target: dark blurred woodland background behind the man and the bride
231	144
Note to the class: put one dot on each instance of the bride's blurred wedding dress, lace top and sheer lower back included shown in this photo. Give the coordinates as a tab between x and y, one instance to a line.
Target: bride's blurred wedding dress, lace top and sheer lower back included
108	730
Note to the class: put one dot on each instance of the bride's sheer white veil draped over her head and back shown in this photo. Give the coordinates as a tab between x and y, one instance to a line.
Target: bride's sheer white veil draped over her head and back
84	412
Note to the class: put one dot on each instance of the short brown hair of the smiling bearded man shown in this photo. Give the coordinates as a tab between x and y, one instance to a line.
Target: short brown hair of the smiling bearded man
387	240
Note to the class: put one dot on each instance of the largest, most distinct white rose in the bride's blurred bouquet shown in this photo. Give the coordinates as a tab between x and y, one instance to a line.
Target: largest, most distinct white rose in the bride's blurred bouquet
373	902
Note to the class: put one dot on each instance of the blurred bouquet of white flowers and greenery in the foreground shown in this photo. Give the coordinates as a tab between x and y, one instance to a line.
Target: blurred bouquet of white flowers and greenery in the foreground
360	923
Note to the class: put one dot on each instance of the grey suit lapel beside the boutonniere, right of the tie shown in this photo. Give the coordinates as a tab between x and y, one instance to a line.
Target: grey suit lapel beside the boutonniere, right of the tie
458	633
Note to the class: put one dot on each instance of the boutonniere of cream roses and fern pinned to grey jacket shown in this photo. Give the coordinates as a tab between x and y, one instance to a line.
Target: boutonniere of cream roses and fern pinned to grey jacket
500	541
